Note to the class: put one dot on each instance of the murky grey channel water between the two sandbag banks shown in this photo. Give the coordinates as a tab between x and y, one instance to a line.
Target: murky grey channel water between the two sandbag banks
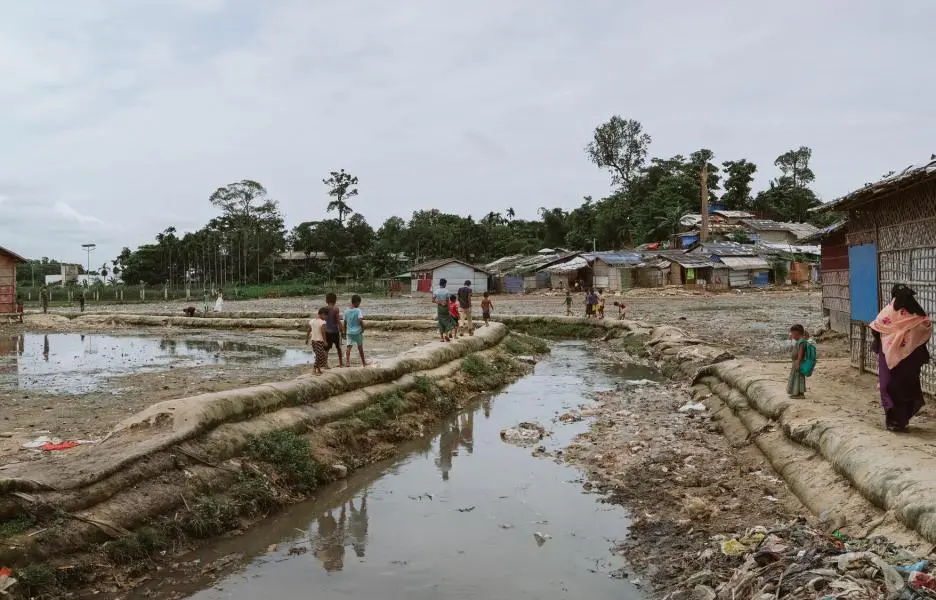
454	516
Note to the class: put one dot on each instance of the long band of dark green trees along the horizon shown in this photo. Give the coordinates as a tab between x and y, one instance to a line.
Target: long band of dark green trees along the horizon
646	201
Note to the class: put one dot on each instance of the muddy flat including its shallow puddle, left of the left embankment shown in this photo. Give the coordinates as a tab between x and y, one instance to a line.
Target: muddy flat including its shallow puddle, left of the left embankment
67	384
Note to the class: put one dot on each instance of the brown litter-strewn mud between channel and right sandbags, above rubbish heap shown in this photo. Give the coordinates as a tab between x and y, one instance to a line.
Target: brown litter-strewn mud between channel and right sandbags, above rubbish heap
682	480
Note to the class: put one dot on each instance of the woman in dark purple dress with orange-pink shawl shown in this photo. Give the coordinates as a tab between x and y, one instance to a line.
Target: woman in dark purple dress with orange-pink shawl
901	333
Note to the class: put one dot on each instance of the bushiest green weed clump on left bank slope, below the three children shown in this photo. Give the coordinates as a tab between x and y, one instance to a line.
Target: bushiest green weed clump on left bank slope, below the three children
290	455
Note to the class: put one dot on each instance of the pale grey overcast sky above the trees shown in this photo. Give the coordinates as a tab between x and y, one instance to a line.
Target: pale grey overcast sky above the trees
118	118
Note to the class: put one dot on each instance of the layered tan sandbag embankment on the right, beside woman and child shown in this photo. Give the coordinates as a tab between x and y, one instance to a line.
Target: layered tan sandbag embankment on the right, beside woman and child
858	477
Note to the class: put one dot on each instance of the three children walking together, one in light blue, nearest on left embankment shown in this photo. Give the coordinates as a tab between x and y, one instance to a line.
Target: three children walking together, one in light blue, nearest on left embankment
329	326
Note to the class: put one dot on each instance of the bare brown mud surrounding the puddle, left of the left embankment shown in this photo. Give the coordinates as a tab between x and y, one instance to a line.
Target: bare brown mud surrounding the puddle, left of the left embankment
31	413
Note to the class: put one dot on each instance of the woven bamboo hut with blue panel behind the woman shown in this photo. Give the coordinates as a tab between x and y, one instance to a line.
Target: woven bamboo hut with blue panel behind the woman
891	238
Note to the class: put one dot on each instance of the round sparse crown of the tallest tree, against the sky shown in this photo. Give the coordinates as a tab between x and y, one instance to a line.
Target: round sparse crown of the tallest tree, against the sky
621	146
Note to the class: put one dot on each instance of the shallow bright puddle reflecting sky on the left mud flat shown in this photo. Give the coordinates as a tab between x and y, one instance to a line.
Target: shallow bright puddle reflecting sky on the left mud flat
72	363
